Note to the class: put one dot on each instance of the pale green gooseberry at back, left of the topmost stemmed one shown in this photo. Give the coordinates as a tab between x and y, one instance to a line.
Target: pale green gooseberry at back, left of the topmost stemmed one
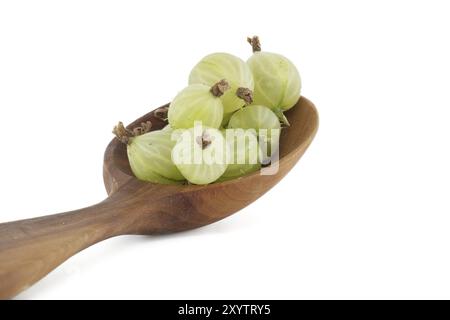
218	66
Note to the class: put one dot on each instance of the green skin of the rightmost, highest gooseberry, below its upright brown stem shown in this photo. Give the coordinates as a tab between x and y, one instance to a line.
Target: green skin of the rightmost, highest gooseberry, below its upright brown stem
277	80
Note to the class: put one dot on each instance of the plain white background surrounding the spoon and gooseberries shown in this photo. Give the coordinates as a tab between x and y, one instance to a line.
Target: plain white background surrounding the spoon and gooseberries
365	213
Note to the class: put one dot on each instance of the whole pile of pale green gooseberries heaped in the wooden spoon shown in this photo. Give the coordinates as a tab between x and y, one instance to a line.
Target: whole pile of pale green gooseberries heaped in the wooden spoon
225	124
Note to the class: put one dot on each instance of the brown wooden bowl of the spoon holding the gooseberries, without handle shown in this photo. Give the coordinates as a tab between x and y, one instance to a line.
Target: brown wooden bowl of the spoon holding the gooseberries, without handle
183	207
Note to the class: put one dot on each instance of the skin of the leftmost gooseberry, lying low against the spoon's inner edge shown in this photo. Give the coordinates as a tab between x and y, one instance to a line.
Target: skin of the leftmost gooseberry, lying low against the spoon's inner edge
150	158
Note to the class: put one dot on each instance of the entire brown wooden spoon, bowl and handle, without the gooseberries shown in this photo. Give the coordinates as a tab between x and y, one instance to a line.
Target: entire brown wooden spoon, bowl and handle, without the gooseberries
30	249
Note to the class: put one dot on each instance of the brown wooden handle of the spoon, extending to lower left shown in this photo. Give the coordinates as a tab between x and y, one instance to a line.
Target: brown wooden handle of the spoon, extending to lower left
30	249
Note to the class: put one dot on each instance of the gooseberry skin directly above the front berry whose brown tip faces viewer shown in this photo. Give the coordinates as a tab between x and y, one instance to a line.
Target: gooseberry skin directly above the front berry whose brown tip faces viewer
195	103
